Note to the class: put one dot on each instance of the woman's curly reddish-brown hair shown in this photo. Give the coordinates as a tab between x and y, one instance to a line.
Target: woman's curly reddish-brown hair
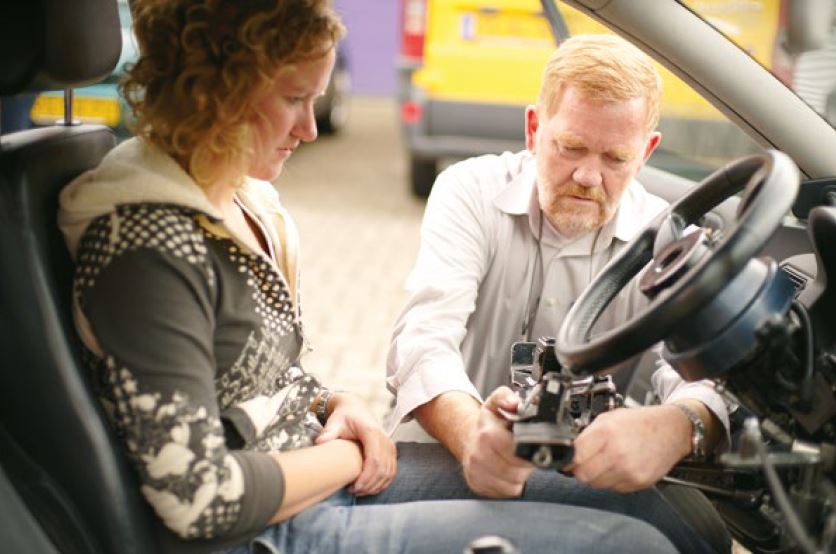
203	63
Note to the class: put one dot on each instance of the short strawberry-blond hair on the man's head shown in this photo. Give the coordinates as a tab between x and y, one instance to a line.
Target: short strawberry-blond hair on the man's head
605	68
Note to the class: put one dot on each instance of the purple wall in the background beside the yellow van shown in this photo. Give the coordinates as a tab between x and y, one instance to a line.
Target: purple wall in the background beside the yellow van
372	43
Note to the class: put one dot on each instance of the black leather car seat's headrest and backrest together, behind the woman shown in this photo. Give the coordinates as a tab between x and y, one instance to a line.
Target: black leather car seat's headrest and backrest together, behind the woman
55	447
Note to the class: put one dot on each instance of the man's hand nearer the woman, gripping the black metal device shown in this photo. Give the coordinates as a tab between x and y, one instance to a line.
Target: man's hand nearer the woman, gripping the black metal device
490	466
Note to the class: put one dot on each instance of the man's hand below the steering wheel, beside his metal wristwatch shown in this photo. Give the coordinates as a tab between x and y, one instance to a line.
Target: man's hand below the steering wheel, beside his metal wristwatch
630	449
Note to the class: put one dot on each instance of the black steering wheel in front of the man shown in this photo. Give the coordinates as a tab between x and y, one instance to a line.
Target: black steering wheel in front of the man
685	272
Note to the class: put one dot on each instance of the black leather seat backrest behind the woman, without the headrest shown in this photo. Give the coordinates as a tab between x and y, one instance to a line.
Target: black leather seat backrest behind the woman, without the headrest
59	452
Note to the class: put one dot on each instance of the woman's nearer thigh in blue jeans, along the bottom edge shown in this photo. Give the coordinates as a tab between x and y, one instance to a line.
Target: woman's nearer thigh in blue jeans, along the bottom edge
338	524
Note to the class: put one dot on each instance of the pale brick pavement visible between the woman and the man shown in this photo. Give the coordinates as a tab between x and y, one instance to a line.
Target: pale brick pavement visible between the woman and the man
359	231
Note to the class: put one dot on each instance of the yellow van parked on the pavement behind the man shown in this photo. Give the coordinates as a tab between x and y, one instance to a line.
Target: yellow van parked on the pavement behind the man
469	67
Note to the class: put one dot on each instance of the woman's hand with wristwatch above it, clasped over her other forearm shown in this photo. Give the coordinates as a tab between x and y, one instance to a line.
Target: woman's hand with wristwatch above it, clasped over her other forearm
350	419
